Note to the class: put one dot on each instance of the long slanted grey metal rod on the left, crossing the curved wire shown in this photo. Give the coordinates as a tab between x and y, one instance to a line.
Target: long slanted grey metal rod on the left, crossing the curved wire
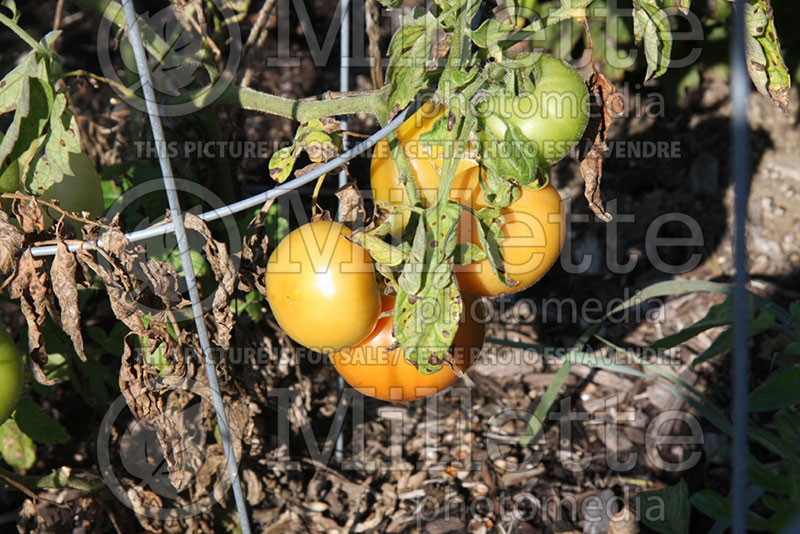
153	113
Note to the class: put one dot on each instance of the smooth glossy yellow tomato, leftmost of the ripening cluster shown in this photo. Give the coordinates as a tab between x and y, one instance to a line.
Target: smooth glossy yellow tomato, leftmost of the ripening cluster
322	287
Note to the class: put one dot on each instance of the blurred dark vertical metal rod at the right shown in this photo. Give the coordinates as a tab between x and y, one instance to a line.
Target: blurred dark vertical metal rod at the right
740	173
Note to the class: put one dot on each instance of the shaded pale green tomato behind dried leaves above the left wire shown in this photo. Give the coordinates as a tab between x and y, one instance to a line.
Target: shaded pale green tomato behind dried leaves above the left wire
79	190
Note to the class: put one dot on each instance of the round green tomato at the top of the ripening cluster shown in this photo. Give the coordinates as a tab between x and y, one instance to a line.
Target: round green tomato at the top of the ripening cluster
552	117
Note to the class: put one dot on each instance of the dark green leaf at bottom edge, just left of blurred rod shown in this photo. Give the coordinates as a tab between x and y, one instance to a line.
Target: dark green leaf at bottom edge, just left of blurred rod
666	510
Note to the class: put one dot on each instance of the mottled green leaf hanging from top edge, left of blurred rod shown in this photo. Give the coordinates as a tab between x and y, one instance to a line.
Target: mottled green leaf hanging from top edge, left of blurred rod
651	24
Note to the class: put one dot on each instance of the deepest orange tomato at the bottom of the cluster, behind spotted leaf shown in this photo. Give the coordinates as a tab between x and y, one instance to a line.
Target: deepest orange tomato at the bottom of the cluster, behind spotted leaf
377	367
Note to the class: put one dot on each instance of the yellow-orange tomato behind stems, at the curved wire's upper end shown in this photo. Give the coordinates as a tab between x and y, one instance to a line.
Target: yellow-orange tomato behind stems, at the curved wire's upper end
426	165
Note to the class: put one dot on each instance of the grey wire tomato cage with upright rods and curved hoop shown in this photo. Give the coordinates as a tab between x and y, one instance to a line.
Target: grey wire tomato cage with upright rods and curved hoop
740	89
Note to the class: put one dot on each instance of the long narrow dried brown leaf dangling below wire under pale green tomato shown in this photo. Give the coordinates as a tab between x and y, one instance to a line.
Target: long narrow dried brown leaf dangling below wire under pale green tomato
62	273
